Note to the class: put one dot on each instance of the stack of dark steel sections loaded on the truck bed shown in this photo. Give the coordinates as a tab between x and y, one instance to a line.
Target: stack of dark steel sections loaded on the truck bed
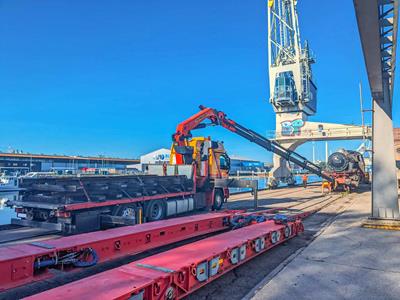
69	190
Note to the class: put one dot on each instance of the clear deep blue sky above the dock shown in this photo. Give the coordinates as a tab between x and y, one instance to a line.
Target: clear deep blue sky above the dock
90	77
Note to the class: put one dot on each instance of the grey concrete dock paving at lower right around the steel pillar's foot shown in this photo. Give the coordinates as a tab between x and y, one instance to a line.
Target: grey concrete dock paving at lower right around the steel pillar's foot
344	261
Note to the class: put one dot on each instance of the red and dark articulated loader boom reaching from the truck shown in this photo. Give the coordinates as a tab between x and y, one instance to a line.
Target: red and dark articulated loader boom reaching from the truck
219	118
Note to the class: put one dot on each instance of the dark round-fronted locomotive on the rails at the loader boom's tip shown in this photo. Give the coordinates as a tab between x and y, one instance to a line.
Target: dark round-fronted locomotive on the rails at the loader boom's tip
347	168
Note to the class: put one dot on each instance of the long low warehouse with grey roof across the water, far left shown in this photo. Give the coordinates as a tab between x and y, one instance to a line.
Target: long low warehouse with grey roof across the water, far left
23	163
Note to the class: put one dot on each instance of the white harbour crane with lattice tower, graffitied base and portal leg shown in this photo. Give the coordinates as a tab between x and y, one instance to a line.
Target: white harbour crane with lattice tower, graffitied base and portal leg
293	93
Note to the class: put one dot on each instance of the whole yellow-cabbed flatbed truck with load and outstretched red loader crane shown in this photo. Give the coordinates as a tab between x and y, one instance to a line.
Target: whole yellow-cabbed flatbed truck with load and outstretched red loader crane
196	178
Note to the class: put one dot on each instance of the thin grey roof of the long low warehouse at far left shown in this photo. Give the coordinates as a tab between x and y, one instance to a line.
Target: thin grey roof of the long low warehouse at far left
66	157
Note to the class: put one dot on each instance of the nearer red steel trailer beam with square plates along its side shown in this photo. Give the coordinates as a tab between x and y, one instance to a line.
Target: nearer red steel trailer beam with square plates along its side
173	274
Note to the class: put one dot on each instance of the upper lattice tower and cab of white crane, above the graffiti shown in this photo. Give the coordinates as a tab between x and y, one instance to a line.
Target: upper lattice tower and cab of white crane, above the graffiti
291	86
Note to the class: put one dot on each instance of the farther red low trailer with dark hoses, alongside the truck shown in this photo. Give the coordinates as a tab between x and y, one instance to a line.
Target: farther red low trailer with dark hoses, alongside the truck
35	261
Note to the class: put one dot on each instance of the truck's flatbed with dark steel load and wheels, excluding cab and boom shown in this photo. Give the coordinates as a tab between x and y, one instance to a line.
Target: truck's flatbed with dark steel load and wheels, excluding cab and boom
73	205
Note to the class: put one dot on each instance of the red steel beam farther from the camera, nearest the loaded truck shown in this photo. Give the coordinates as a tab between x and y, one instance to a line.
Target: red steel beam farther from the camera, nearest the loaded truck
17	262
